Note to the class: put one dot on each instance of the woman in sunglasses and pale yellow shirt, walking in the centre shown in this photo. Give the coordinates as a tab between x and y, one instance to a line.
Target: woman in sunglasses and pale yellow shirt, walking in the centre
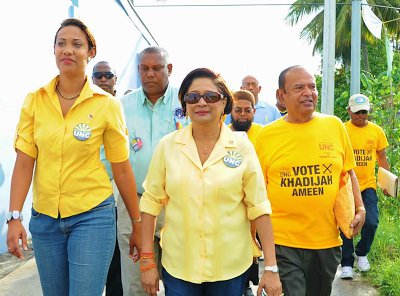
210	183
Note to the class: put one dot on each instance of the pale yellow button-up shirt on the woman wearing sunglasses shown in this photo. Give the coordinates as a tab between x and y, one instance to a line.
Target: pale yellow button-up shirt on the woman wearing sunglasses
206	235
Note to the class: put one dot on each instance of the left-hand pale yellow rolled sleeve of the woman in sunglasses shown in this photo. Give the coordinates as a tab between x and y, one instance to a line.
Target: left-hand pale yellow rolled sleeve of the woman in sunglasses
154	196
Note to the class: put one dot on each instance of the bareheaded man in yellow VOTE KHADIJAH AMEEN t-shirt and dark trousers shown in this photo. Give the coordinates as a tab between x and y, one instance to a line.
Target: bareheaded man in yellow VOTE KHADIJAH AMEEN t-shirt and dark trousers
303	156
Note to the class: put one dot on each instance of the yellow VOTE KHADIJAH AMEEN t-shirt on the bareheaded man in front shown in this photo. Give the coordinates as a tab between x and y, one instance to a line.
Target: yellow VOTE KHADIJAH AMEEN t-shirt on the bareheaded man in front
302	164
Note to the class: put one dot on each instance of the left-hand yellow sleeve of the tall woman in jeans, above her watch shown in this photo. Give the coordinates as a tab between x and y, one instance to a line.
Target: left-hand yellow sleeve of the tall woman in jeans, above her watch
24	135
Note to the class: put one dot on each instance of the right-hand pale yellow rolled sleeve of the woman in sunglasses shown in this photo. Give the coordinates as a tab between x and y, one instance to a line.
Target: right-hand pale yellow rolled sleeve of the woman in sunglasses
256	198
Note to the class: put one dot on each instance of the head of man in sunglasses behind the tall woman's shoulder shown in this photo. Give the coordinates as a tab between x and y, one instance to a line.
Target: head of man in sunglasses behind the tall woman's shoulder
104	76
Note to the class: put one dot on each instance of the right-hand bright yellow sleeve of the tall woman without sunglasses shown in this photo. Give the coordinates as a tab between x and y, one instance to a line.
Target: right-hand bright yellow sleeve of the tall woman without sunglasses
116	141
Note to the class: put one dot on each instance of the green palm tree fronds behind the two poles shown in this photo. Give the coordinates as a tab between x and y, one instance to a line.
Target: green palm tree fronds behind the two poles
313	31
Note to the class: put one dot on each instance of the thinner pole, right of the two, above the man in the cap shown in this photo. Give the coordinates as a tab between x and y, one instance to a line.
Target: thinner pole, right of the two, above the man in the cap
355	46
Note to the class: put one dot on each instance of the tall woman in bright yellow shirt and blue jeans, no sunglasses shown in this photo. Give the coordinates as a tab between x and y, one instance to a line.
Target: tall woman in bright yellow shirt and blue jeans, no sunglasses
61	128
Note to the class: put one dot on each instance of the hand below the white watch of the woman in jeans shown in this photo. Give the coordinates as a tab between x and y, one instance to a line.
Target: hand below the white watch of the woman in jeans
16	231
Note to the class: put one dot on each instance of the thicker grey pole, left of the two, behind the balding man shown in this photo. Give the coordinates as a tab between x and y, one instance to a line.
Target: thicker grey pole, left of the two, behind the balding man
328	62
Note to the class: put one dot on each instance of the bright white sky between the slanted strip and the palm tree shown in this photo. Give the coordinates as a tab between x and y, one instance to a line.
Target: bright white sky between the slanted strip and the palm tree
233	41
